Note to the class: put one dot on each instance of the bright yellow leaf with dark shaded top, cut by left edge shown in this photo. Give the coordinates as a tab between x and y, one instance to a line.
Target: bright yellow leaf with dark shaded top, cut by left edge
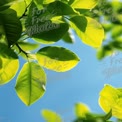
9	64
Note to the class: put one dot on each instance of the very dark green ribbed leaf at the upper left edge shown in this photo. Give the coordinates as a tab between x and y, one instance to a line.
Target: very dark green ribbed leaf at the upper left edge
10	26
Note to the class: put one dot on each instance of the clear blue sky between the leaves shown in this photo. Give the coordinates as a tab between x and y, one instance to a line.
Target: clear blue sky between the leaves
81	84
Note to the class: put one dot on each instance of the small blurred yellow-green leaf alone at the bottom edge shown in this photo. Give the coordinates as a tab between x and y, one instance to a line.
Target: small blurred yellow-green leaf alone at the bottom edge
51	116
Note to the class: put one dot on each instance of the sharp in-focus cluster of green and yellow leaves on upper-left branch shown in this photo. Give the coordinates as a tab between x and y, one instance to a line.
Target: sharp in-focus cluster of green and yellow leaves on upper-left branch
44	22
